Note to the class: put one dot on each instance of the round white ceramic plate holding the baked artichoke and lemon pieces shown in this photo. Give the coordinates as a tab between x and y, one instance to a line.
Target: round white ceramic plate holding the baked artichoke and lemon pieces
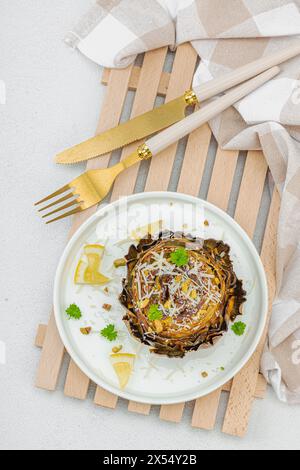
155	380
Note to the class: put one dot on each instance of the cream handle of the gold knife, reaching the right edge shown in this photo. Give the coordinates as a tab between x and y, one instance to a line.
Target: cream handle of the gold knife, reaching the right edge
213	87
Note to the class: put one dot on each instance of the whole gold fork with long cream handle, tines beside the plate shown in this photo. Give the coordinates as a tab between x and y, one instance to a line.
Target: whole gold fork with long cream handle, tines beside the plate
92	186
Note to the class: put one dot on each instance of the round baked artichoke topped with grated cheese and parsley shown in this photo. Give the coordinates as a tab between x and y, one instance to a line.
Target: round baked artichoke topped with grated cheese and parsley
180	292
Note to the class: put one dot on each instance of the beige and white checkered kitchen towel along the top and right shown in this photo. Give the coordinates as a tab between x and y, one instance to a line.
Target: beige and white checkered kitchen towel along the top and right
227	34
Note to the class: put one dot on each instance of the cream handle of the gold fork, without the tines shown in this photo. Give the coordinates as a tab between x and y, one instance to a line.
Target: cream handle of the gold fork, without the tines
182	128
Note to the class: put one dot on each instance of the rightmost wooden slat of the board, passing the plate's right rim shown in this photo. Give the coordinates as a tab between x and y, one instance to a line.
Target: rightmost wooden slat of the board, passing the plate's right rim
243	386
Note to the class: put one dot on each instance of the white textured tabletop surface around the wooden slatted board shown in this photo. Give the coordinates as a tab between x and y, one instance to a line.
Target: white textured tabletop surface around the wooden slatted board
53	101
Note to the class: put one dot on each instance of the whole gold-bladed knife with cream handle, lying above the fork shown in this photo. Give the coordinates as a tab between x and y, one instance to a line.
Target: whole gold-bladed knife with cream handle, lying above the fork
171	112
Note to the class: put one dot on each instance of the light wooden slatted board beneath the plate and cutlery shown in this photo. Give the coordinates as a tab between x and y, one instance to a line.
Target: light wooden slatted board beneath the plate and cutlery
149	81
